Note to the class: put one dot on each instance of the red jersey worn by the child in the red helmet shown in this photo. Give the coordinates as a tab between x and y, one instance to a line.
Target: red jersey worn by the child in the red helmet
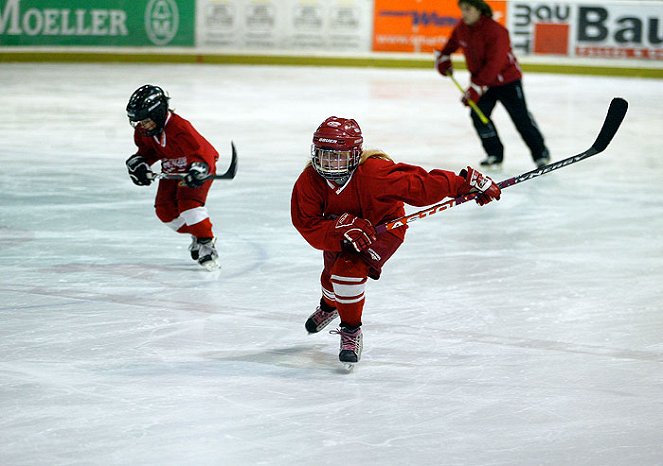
377	191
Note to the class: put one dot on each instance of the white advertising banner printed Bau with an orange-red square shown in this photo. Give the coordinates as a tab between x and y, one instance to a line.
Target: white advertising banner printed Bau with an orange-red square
623	30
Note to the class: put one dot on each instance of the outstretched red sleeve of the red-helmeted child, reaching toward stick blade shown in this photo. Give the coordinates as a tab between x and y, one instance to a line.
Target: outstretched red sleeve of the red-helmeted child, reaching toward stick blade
412	184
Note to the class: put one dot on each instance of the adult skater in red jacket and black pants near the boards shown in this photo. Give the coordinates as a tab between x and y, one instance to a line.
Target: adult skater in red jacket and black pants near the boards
495	76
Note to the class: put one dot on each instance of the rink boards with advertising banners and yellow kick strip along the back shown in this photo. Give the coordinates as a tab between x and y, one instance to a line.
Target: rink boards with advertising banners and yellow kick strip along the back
614	37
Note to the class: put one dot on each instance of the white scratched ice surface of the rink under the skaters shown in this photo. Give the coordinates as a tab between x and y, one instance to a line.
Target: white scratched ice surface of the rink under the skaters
526	332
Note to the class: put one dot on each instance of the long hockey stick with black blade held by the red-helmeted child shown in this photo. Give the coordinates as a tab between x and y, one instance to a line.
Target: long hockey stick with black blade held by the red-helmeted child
613	119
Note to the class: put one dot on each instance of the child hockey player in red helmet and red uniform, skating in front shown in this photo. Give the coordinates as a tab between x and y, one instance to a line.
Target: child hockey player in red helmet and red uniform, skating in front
337	199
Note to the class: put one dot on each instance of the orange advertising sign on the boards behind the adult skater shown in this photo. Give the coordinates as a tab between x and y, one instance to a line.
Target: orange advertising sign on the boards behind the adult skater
419	26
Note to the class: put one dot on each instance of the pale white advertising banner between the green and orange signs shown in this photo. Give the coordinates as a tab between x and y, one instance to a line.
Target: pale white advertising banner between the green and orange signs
324	25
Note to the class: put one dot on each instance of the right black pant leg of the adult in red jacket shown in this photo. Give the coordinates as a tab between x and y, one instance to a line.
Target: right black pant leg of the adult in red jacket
513	98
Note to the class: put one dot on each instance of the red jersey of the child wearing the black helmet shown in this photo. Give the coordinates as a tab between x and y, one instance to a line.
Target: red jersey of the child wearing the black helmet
178	145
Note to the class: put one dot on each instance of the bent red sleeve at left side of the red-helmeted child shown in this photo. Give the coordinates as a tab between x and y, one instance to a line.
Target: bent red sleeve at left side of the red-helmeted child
306	211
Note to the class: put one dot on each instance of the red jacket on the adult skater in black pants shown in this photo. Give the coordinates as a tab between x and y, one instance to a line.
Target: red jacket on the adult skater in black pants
487	50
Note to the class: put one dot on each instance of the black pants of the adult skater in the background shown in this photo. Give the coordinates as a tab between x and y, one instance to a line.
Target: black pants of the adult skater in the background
513	98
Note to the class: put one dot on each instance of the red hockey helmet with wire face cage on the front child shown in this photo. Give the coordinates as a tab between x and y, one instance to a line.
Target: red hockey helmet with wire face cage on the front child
337	148
